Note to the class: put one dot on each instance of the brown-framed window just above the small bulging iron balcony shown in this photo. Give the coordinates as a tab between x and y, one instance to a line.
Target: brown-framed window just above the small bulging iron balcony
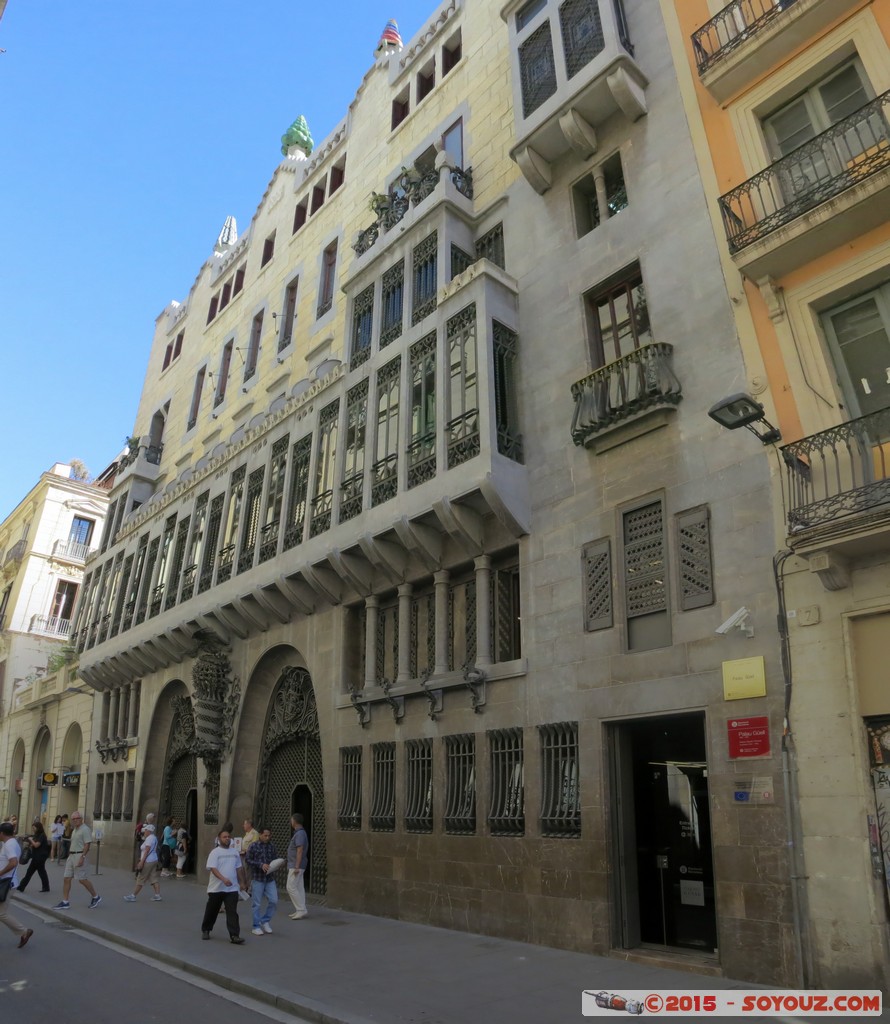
619	319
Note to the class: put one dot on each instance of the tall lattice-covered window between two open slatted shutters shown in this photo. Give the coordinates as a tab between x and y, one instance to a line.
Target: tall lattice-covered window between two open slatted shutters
649	623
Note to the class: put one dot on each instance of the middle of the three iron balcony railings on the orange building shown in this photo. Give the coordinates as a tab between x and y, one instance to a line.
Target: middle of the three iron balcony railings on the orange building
850	152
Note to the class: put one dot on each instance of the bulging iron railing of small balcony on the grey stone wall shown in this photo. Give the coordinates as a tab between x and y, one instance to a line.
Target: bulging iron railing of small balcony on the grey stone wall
644	379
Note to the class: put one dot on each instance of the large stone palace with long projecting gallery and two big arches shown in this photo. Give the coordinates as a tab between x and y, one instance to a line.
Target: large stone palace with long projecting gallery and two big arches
425	532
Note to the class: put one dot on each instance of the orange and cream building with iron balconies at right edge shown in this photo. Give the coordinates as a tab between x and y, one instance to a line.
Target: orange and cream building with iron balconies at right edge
789	104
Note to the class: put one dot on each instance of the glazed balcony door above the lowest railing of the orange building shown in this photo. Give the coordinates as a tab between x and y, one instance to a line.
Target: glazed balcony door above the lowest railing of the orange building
859	334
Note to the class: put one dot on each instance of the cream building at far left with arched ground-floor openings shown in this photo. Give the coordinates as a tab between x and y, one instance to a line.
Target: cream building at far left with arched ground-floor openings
45	544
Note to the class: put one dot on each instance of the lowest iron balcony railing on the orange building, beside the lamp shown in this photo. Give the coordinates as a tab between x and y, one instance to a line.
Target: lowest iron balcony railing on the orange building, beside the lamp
838	473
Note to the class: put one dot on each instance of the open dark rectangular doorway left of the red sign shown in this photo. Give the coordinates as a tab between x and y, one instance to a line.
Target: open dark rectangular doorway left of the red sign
662	833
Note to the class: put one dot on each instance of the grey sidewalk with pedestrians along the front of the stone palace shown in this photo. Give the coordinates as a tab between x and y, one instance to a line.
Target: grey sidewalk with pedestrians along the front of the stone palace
341	968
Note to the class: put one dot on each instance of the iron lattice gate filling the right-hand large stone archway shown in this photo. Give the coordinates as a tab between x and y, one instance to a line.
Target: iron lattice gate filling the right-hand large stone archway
292	762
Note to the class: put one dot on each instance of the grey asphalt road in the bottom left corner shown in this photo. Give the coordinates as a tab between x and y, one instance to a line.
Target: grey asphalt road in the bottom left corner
69	976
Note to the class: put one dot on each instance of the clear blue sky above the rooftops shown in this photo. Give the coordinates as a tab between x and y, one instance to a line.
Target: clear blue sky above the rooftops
129	133
